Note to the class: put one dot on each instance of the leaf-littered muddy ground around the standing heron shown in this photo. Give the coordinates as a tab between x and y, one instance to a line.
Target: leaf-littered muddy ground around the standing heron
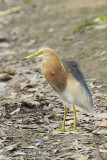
30	110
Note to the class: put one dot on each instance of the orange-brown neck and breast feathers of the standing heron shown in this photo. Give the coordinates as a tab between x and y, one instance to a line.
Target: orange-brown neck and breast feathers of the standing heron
55	73
